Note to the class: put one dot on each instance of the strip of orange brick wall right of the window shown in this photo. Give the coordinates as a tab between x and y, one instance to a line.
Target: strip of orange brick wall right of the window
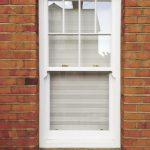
136	75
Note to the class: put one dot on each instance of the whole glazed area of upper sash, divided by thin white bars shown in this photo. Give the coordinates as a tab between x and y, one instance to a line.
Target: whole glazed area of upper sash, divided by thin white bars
92	50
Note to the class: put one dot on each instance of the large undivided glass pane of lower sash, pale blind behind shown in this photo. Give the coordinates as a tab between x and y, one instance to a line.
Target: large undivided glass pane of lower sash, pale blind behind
79	101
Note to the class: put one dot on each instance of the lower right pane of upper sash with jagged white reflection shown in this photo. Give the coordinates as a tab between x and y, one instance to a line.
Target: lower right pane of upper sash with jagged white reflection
95	51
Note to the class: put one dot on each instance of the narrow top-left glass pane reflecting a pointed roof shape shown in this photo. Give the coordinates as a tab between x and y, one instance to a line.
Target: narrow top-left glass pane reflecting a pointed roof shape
55	15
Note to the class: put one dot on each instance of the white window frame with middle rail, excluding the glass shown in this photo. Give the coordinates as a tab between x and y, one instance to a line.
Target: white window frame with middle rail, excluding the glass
86	139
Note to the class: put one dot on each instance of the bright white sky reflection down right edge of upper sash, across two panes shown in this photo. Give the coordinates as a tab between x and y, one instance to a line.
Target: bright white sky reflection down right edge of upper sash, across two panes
103	12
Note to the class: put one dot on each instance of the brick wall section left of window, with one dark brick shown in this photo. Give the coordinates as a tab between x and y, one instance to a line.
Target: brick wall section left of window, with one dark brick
18	75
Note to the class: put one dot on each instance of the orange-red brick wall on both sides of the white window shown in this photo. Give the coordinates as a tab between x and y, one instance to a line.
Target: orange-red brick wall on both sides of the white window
19	75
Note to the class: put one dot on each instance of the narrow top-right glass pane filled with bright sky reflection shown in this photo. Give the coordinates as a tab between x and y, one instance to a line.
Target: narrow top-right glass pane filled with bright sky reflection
103	12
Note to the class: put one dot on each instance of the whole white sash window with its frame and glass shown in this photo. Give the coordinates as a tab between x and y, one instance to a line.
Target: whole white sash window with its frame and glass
79	73
